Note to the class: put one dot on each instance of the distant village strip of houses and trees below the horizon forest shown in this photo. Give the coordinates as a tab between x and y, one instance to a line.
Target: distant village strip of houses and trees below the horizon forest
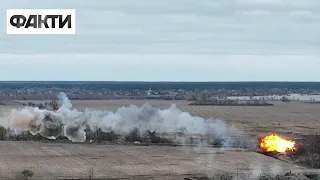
80	93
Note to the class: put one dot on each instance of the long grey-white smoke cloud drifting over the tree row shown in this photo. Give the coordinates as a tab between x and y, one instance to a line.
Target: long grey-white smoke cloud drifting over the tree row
72	123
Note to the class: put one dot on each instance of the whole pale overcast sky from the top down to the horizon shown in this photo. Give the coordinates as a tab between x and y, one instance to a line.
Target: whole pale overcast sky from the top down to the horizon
170	40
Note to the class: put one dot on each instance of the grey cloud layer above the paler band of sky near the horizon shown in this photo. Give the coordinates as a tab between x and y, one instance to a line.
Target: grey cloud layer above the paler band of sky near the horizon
180	26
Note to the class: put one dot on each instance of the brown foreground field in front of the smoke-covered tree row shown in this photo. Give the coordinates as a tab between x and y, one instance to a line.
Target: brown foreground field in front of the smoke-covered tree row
55	160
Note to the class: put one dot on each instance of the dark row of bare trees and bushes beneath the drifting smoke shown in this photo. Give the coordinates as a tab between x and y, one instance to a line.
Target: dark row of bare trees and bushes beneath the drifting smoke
98	136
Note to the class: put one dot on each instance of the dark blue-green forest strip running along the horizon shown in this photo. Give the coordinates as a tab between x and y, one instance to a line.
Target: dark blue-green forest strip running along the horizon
161	85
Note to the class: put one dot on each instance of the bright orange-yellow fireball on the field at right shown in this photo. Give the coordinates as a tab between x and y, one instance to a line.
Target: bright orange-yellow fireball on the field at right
275	143
